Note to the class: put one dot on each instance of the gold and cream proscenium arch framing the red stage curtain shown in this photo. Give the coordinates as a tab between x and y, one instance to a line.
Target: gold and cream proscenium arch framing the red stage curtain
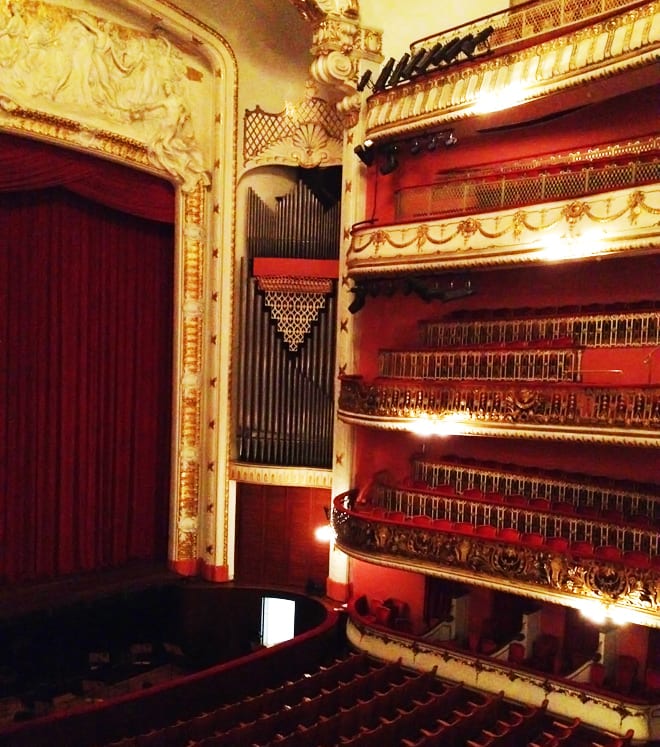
204	247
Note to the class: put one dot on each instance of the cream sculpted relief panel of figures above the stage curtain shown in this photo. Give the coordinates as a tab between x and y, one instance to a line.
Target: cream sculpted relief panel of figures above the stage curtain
103	75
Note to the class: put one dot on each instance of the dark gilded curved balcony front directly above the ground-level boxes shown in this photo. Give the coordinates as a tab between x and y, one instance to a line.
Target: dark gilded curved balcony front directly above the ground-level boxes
531	571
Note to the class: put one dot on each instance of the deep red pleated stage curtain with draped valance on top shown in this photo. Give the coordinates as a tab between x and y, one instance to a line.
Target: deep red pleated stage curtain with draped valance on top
85	375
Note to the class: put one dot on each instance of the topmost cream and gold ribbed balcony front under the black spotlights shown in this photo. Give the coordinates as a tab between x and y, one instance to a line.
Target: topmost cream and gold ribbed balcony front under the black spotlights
620	43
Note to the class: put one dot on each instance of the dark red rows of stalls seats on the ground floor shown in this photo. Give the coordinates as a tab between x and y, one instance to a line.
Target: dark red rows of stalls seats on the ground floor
358	702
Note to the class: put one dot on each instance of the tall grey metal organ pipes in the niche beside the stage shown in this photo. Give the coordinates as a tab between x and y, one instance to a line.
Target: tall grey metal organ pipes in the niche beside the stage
285	399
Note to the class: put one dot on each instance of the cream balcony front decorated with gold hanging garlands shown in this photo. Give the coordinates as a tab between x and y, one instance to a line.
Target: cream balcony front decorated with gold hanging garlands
512	236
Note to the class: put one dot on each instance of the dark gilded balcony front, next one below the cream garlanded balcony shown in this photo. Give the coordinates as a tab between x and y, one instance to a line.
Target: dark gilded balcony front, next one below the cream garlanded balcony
573	411
